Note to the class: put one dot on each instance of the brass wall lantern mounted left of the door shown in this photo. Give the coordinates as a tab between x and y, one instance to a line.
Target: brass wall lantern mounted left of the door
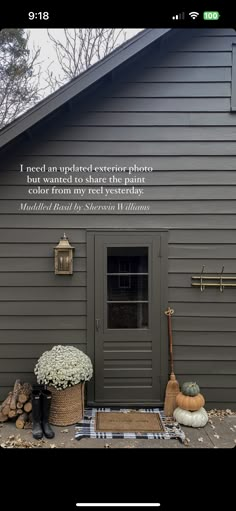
63	257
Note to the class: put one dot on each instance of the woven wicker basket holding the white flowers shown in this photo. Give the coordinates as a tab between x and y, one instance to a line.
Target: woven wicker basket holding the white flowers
67	406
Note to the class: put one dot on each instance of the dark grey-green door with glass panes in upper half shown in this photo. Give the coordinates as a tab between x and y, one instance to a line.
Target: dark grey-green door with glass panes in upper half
127	318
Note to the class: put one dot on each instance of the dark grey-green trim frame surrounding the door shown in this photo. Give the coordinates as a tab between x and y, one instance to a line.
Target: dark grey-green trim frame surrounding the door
91	233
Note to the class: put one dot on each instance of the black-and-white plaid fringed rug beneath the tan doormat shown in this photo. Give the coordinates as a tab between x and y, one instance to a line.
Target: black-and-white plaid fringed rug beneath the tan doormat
86	428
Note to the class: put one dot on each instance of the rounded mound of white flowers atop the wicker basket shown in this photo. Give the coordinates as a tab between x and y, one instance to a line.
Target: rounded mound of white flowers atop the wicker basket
63	366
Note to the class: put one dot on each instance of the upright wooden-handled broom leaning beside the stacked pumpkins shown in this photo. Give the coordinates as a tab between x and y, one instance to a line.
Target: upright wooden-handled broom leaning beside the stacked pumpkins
172	388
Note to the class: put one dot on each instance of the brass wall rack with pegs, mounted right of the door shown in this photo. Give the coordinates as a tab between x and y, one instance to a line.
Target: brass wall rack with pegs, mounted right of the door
217	280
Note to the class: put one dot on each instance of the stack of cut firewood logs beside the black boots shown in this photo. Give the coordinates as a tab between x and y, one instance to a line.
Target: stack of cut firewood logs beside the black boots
17	405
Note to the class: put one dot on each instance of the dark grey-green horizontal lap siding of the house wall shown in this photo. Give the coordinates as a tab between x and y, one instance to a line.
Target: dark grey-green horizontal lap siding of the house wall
170	110
